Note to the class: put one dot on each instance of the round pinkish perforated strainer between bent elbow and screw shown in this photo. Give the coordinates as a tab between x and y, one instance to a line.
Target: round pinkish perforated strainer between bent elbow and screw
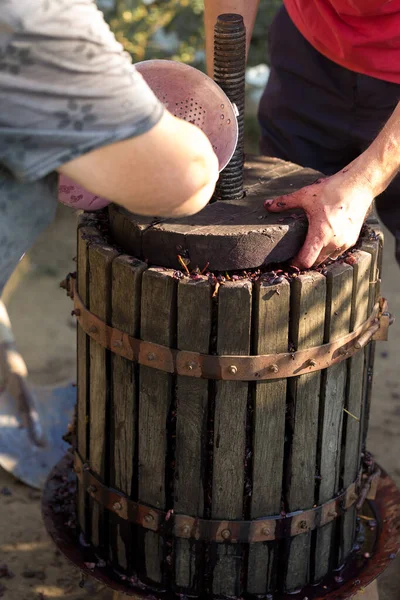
192	96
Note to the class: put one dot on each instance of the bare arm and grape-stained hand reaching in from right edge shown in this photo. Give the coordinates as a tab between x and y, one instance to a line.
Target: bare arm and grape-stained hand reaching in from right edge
336	207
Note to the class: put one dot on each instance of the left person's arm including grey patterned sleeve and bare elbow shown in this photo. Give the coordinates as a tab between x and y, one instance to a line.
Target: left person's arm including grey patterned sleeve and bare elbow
93	118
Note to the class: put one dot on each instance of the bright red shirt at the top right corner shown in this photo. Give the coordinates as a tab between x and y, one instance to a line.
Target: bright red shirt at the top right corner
361	35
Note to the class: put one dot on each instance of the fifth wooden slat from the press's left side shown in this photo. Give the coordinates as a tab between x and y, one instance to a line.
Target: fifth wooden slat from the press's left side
194	331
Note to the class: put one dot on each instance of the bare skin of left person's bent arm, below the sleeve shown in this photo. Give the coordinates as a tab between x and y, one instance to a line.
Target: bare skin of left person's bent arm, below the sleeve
169	171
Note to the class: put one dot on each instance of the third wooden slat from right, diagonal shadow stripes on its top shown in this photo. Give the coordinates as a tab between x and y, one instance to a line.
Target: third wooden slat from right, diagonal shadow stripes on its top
332	403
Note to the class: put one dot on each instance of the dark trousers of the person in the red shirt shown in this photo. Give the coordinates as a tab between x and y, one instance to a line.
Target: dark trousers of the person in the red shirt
320	115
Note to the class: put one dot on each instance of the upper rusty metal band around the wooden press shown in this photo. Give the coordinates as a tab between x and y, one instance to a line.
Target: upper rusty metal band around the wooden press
234	368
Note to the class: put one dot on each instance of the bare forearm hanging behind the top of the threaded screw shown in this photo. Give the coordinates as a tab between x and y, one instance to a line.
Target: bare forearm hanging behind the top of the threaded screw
214	8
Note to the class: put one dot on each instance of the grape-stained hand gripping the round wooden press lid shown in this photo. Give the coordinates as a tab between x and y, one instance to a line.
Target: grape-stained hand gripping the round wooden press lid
336	208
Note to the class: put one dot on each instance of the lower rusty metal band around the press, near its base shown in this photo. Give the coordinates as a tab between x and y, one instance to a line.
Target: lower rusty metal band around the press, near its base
260	530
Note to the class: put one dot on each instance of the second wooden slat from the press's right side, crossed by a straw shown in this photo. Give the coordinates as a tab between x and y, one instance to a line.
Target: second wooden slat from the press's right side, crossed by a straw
354	397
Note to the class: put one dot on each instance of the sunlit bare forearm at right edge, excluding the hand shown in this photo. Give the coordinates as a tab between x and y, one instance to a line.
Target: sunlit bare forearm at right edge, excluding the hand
380	163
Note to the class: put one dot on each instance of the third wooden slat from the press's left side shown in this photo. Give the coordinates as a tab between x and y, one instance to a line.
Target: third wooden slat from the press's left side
126	292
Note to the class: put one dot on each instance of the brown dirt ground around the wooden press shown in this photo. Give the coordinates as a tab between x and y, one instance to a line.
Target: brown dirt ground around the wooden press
45	332
